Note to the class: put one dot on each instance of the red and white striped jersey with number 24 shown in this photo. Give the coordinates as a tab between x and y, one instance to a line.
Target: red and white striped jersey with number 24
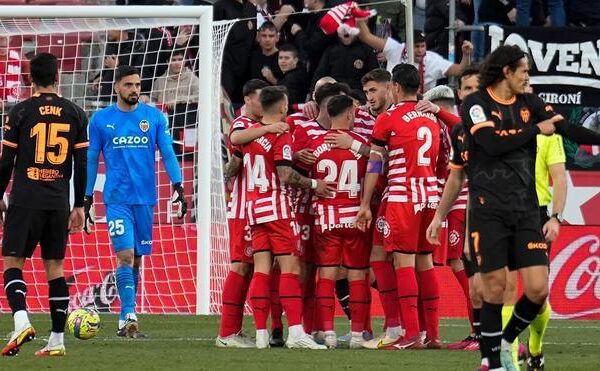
347	169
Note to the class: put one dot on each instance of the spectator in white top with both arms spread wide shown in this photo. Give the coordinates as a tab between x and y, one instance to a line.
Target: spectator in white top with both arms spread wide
431	66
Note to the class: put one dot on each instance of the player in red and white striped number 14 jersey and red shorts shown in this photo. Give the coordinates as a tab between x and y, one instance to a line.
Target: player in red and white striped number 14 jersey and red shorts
268	165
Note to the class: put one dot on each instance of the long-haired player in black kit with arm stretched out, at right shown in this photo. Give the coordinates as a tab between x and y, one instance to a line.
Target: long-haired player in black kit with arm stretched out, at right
501	123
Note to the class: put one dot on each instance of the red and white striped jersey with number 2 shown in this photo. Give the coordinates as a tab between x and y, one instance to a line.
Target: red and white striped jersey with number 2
413	142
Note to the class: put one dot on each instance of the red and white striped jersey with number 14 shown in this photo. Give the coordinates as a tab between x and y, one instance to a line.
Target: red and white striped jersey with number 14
267	198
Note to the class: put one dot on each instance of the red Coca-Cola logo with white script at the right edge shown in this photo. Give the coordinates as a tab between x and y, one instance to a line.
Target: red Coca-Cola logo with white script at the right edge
575	279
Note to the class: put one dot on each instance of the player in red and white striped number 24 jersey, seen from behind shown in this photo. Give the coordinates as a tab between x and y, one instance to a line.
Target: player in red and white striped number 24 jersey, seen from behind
338	241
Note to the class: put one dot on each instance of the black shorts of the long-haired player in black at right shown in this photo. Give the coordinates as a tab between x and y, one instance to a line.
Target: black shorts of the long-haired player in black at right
503	238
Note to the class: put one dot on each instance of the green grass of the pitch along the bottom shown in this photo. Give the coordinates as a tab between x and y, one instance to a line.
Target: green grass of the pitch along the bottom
187	343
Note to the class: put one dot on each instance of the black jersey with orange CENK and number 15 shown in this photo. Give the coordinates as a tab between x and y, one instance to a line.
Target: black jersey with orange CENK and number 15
48	136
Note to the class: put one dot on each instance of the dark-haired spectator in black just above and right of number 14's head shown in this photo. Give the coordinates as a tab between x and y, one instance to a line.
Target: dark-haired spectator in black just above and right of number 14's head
294	76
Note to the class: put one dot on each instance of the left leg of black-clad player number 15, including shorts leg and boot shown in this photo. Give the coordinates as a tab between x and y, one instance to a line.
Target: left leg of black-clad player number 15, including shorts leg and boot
18	222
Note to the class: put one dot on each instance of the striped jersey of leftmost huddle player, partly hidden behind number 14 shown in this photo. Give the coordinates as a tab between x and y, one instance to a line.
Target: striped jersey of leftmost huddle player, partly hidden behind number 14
236	207
